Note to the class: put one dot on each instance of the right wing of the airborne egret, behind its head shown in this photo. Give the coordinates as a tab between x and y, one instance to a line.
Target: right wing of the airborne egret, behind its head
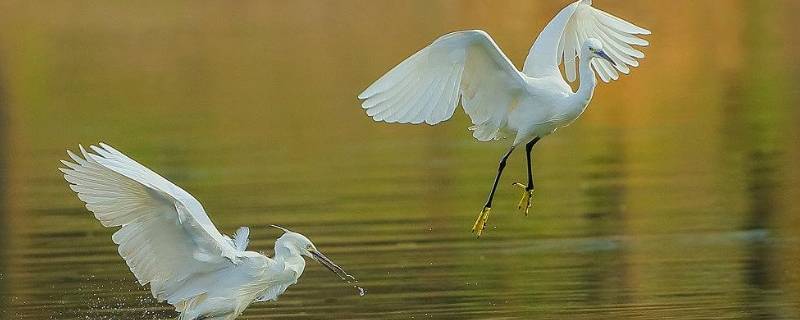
562	38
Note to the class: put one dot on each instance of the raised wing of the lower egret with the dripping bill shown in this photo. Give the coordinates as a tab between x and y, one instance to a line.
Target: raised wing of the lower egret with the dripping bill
166	237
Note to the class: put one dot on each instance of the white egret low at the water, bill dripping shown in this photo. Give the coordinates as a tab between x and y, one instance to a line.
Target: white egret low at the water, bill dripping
168	241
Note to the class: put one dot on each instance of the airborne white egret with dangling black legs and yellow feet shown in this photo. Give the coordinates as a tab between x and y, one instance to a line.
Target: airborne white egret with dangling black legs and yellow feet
468	66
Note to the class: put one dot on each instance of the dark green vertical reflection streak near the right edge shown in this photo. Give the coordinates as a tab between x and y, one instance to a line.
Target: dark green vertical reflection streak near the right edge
762	154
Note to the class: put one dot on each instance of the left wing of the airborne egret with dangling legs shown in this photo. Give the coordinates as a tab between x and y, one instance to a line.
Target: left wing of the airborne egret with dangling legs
426	87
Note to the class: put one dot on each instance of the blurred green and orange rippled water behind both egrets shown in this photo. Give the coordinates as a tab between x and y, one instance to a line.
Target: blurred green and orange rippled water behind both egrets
674	196
